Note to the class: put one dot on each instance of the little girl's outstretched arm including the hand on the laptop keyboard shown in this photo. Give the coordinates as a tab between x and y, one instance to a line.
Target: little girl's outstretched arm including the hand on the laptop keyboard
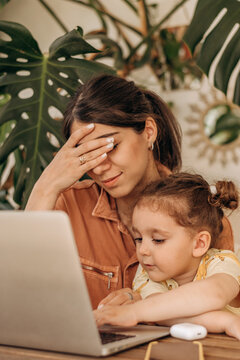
188	300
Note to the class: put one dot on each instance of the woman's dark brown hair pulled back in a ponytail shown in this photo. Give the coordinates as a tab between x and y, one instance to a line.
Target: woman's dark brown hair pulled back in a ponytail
114	101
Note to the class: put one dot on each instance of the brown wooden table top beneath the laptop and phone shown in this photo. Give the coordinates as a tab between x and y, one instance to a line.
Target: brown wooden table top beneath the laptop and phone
216	347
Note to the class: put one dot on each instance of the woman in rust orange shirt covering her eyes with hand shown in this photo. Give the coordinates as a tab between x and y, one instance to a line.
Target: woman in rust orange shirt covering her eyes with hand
124	138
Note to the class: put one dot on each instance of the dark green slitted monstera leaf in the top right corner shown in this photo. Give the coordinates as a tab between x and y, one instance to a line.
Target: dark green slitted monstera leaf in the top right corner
215	25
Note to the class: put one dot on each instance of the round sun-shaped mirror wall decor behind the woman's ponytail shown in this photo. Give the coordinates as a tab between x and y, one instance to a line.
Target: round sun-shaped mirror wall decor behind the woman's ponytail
214	127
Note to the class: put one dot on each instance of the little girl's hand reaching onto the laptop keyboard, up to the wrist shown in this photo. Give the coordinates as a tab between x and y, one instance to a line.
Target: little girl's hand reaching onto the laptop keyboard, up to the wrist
116	315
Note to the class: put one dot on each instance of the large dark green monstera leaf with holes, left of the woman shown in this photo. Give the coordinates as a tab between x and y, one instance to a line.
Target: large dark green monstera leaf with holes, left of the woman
39	86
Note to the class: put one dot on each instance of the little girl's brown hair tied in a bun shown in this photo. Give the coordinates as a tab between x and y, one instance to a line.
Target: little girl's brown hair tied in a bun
191	201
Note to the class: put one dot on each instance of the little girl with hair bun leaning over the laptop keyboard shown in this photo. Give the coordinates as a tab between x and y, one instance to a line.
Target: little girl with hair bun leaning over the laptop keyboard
181	276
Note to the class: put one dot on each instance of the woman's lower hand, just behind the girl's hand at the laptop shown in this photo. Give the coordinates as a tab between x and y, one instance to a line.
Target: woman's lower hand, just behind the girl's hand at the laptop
120	297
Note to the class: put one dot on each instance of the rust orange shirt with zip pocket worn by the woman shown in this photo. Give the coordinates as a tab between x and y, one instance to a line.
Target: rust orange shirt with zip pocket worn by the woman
105	246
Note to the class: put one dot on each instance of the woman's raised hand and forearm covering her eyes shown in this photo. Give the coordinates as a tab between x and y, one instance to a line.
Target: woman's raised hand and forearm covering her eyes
71	162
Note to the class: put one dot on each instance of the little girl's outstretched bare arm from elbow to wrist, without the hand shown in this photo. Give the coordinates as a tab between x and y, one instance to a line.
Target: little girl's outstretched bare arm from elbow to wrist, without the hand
191	299
